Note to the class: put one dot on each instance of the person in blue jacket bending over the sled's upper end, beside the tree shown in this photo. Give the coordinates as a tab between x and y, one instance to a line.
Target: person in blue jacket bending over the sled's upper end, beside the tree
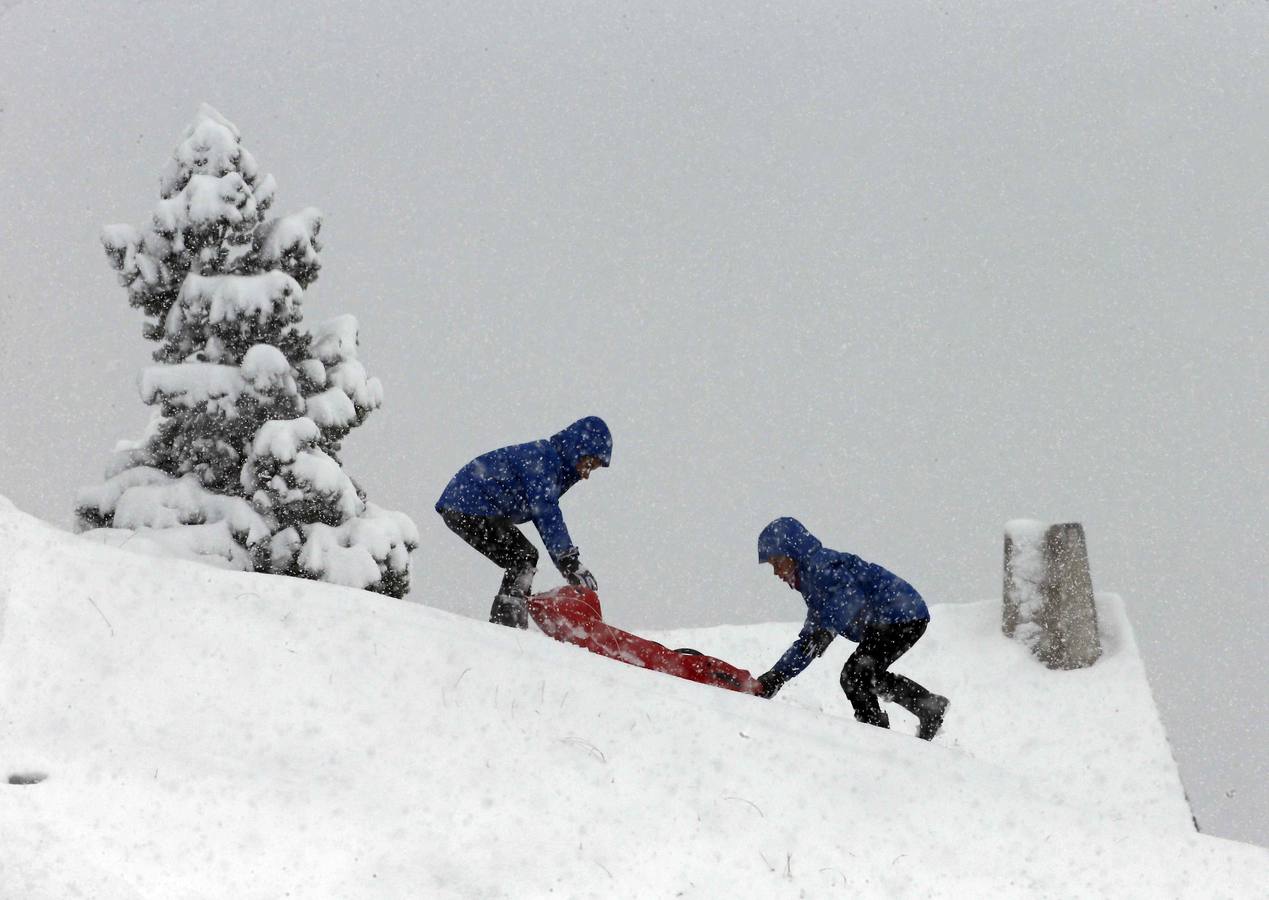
510	487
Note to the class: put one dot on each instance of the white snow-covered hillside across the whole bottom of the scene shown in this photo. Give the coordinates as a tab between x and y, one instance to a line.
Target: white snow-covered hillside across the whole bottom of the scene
218	734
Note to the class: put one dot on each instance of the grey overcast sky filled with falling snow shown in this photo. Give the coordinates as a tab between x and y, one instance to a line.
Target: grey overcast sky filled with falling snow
904	271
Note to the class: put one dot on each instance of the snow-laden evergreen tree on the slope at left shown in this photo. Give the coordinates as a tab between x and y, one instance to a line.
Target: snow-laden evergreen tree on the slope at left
240	463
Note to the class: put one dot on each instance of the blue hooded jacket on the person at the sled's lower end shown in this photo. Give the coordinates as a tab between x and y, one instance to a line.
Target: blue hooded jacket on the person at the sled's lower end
843	593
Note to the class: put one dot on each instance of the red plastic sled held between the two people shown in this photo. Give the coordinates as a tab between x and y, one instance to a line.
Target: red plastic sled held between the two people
573	616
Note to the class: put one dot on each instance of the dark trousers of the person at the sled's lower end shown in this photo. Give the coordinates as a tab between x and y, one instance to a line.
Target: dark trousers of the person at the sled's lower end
866	675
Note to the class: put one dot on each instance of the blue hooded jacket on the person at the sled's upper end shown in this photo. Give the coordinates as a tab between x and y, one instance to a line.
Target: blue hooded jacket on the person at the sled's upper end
525	483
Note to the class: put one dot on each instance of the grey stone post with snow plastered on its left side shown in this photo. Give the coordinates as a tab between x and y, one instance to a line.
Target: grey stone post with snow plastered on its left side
1049	593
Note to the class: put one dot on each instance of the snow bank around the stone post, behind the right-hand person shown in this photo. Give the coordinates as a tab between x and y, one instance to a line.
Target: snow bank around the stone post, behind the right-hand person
1091	738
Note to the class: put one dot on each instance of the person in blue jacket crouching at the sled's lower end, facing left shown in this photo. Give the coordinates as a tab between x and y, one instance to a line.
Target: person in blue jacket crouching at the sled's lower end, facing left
862	602
